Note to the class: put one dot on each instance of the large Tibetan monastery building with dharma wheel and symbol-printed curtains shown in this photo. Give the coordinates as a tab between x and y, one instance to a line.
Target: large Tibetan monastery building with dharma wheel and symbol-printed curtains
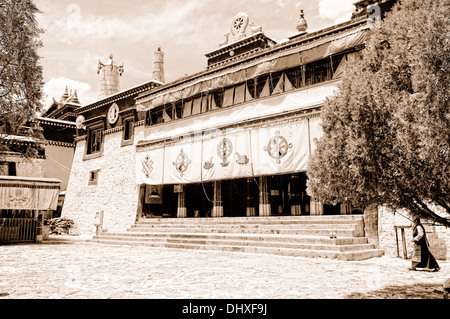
232	140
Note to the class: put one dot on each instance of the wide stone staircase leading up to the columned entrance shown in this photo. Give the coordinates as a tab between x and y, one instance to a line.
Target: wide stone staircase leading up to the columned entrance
303	236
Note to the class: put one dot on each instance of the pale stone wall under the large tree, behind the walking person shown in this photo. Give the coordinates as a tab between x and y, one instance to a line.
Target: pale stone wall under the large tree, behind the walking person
438	236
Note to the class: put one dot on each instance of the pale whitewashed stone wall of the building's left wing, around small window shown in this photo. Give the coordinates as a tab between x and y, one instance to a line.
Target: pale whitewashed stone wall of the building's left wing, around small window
116	192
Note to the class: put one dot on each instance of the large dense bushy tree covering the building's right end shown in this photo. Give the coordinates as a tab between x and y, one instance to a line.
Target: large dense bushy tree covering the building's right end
387	131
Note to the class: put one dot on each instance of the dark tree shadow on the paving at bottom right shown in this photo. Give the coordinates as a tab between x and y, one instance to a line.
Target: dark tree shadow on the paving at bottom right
416	291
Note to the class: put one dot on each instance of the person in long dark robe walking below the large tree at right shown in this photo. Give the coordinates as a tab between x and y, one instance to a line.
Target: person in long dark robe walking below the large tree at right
422	258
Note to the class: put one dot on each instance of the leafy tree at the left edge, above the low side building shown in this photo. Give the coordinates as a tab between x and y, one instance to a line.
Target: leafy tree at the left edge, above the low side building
20	73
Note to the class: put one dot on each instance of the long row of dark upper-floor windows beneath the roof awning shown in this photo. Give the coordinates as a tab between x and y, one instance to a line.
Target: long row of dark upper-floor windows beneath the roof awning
260	87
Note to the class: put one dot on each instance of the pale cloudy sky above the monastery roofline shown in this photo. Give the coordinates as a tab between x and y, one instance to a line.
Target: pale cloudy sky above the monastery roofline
79	34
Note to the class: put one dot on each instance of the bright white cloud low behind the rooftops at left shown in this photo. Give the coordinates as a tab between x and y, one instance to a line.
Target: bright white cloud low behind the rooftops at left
55	87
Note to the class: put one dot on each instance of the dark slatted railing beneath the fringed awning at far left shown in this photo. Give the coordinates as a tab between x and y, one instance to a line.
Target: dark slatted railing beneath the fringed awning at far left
17	230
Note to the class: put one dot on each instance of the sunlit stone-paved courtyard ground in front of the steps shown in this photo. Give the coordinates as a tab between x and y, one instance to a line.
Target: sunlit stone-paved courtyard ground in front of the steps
90	270
